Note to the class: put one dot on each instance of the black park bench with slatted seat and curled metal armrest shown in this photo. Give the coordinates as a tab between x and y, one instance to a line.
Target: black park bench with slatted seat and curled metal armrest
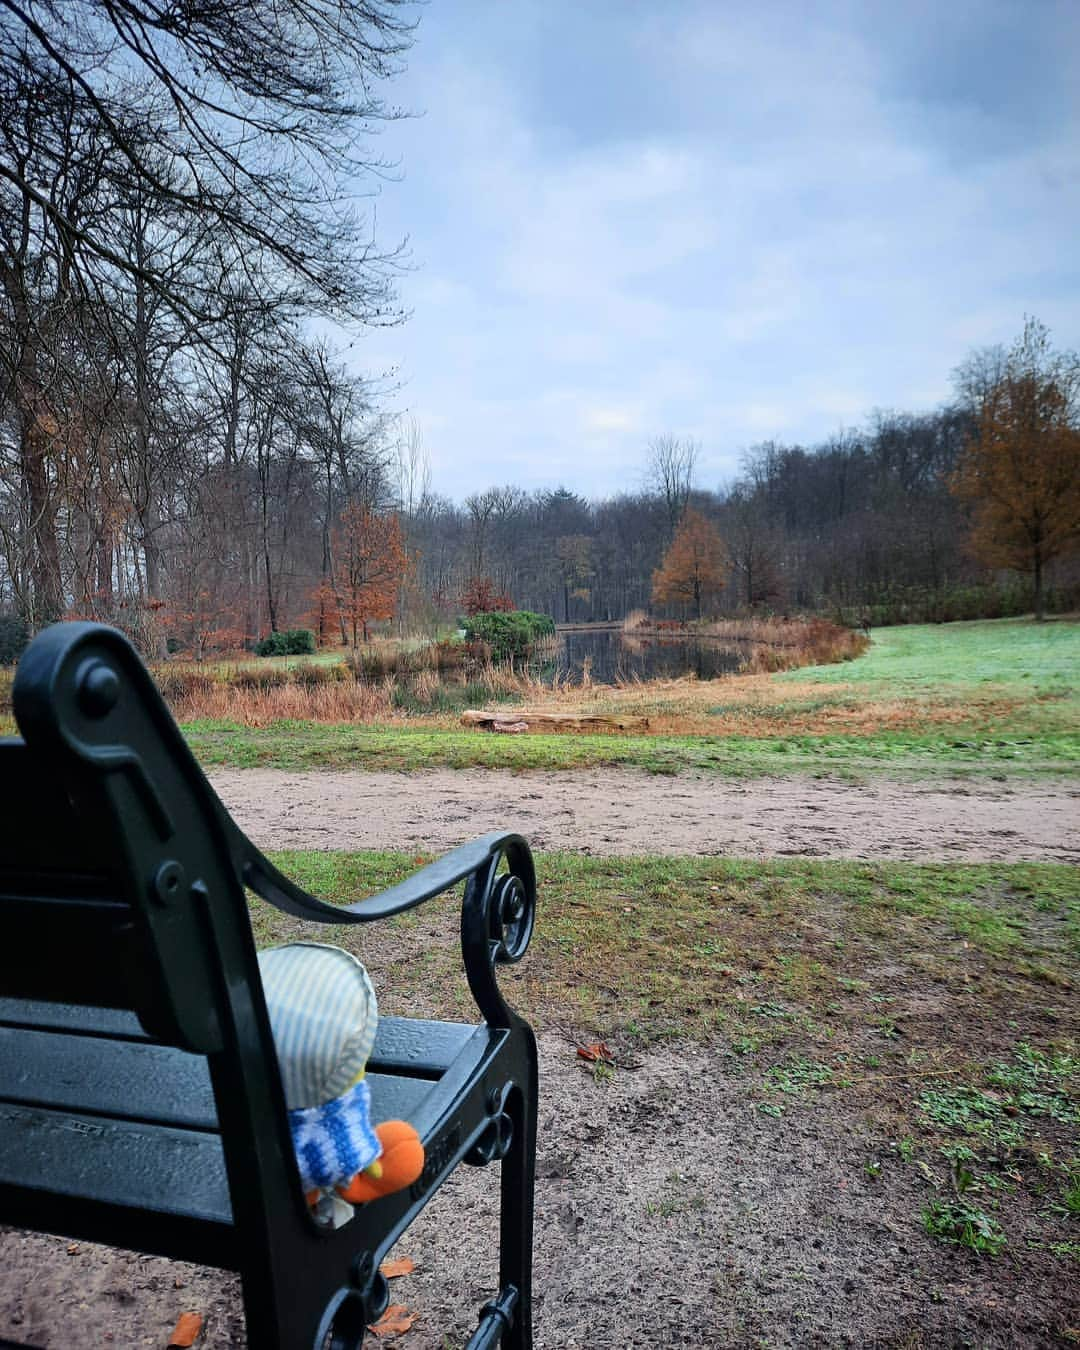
141	1104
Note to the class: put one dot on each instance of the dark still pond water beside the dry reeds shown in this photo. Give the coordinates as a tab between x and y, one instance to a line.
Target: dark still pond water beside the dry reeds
611	657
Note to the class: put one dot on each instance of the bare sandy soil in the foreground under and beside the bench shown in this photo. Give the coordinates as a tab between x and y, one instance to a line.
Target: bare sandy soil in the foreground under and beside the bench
670	1213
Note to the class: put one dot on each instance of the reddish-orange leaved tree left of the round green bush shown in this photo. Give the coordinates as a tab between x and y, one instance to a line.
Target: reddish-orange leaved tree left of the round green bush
369	566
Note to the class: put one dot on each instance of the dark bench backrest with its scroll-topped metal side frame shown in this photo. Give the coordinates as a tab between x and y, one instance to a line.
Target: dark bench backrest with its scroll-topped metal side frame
122	886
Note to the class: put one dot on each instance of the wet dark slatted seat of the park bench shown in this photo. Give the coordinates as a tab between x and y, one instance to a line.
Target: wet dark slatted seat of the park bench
105	1127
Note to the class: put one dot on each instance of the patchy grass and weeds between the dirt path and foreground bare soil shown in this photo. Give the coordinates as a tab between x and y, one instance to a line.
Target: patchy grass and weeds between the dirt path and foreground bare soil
938	1005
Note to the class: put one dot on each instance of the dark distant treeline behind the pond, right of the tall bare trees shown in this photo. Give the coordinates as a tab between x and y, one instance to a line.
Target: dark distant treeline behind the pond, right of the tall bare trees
863	527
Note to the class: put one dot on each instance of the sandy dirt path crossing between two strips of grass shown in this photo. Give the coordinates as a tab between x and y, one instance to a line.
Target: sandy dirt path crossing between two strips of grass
628	812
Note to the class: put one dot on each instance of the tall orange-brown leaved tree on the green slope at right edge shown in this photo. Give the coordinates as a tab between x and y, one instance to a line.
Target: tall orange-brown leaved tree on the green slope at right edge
1021	470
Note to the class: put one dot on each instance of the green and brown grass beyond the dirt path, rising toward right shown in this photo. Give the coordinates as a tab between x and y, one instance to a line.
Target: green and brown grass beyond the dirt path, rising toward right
986	700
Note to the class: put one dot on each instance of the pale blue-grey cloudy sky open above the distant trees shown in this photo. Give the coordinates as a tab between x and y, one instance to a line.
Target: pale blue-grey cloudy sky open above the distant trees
731	221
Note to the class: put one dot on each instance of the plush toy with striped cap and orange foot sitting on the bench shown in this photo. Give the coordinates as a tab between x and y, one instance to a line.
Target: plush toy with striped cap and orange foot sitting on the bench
323	1015
